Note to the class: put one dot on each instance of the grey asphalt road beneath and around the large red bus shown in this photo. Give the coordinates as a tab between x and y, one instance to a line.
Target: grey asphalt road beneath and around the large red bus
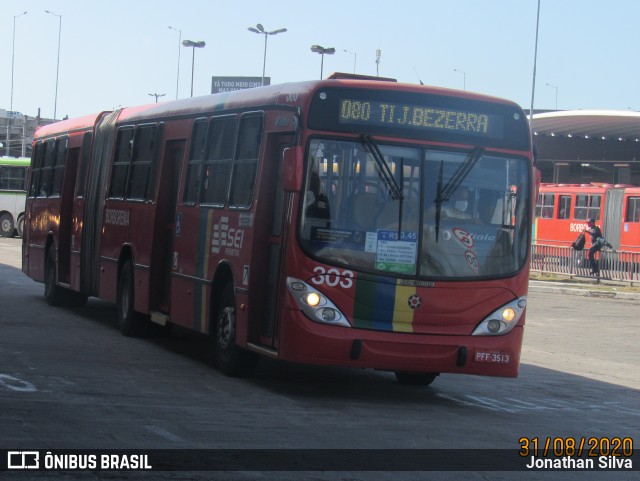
69	380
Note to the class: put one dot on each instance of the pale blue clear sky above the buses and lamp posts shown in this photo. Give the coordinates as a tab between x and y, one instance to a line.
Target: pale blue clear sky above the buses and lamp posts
115	53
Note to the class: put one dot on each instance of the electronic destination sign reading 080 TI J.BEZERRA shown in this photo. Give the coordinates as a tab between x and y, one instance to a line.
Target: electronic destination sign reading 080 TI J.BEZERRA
400	115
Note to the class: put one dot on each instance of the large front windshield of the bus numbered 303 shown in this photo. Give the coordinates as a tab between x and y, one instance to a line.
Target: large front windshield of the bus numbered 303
460	214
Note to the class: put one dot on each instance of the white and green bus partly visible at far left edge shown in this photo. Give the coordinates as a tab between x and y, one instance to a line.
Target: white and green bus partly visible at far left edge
13	173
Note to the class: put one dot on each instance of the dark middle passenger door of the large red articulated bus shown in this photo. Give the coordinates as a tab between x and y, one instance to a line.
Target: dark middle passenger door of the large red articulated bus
162	260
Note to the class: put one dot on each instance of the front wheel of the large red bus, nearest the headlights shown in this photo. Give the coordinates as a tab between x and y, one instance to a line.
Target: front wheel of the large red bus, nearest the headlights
231	359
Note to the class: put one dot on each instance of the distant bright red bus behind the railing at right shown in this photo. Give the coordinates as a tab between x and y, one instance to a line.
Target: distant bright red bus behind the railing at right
562	212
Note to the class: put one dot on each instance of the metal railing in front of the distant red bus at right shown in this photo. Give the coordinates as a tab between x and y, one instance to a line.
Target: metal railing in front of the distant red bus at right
619	266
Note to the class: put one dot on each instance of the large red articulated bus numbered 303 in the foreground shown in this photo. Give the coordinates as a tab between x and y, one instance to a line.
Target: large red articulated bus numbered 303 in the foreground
314	222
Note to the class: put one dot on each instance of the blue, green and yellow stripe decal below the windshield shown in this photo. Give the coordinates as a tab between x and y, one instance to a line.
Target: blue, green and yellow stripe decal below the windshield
384	305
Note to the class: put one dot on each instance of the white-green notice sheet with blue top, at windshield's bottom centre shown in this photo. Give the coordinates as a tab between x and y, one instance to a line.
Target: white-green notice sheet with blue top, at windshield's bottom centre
395	254
